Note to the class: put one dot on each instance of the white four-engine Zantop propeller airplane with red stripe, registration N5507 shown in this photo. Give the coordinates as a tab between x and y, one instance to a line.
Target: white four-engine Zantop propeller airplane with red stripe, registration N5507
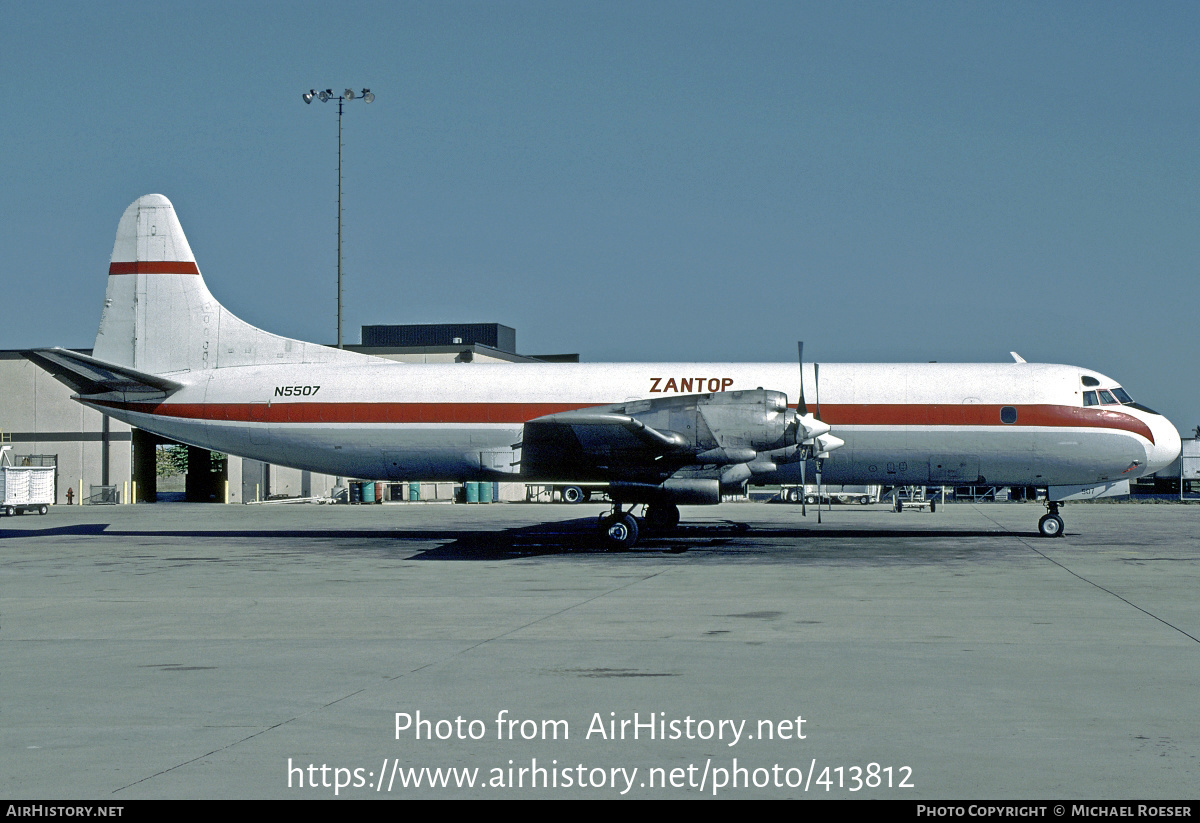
170	359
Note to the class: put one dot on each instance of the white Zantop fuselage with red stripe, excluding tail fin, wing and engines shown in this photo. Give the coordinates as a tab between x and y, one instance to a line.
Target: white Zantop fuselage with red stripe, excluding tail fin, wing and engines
941	424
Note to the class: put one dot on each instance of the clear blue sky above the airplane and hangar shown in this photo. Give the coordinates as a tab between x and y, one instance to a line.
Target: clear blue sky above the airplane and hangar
634	181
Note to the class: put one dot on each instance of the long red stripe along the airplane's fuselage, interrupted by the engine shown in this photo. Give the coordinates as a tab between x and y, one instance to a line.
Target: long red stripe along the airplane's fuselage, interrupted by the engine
884	414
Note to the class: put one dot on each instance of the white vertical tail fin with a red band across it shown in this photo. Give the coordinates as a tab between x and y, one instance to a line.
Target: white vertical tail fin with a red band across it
159	316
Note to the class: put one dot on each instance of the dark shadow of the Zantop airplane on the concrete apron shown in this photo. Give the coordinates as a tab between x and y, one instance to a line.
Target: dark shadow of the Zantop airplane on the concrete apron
539	539
